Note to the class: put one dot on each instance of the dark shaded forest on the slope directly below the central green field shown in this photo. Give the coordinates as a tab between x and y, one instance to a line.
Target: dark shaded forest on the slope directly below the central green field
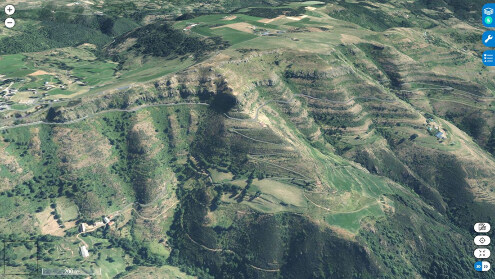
297	245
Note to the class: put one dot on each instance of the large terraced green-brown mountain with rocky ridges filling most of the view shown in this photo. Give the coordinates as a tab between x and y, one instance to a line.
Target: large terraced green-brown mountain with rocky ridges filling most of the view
328	149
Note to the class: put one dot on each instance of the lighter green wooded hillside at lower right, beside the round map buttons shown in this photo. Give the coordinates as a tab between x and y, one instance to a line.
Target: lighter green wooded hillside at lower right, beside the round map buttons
404	235
